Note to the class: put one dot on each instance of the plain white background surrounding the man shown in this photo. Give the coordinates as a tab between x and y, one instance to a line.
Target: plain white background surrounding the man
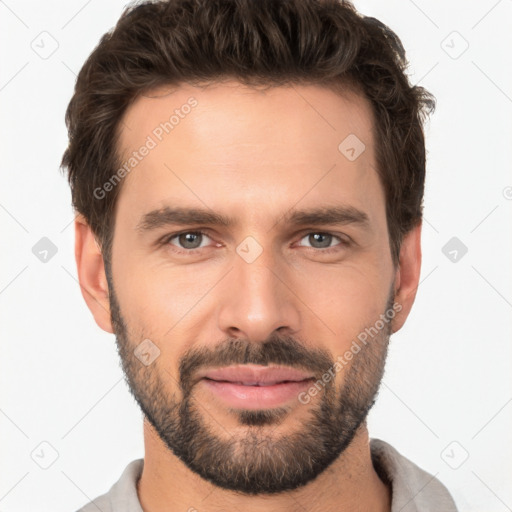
448	376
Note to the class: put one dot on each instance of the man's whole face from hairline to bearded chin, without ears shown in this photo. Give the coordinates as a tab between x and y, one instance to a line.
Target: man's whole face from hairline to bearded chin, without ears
268	289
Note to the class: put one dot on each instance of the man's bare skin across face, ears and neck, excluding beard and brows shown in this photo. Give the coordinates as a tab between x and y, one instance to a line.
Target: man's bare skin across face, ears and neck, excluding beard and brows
253	155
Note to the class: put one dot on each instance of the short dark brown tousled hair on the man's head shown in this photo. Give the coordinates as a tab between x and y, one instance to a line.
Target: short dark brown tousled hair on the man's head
256	42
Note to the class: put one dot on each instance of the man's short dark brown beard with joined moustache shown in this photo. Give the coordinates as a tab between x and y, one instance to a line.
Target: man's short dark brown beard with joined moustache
254	460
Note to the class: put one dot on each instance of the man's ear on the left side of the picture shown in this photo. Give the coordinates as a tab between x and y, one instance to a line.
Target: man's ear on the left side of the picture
91	274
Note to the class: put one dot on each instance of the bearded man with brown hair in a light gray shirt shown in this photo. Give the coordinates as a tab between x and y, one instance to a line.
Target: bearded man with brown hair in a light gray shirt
248	178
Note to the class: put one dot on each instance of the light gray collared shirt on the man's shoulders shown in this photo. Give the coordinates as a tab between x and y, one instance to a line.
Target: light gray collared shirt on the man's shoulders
413	490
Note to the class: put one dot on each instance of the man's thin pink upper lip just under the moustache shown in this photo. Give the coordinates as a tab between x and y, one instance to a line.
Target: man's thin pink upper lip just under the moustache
254	375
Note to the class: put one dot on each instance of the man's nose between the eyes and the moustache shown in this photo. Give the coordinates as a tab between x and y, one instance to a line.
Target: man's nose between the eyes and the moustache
257	300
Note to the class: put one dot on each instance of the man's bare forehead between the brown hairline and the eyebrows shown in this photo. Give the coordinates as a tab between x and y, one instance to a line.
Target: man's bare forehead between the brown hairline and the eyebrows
230	145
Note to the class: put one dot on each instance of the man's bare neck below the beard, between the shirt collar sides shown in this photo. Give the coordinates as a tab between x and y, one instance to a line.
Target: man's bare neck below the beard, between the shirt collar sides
350	484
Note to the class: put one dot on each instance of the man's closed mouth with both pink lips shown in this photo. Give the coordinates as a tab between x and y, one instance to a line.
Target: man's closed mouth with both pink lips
255	387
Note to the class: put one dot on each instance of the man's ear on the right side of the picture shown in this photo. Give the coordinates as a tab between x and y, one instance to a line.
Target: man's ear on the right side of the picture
407	275
